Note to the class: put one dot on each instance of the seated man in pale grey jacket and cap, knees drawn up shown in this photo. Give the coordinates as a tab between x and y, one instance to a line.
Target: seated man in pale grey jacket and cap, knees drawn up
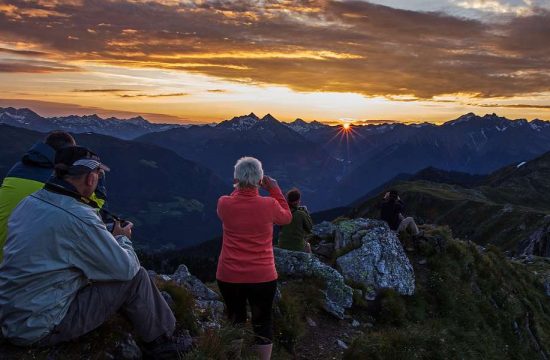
64	273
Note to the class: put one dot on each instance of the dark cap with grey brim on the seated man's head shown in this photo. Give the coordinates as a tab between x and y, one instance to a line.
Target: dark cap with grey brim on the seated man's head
77	160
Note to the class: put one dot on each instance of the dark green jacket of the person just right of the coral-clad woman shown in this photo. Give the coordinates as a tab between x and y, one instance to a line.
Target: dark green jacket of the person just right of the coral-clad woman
292	236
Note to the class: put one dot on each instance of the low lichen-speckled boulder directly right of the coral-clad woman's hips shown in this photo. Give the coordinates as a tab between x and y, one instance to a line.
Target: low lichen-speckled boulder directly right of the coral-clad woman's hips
294	264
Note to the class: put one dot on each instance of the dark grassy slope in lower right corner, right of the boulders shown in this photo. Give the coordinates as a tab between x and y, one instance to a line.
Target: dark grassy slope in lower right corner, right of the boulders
468	305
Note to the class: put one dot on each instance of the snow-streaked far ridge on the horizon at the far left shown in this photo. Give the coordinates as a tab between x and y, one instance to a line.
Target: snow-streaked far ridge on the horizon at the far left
121	128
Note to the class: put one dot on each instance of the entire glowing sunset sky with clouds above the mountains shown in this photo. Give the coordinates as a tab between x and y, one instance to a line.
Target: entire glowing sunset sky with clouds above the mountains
194	61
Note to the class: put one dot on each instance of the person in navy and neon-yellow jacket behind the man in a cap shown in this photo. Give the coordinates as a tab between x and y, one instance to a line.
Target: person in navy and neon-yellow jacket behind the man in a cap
30	174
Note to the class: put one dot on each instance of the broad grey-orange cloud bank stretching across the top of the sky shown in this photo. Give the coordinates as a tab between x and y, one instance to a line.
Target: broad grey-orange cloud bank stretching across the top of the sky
306	45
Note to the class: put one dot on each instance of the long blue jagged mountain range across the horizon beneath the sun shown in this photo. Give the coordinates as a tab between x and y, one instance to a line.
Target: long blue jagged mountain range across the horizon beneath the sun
330	165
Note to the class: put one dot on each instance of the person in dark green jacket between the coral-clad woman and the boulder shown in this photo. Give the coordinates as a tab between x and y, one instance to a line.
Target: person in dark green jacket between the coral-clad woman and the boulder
293	236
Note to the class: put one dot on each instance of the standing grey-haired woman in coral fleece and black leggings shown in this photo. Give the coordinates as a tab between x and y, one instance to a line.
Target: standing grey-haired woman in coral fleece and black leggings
246	267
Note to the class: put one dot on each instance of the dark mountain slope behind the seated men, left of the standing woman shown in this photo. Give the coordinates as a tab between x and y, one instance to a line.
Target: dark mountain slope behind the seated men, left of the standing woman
171	200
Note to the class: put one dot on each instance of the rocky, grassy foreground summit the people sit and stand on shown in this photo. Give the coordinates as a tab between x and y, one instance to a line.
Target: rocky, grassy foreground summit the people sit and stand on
446	299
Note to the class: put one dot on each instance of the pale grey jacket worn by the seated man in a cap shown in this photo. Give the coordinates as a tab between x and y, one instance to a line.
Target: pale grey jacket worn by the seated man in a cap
56	245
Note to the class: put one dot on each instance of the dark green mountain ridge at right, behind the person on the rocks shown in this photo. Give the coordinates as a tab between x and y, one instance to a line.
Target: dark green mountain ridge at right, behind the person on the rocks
509	207
